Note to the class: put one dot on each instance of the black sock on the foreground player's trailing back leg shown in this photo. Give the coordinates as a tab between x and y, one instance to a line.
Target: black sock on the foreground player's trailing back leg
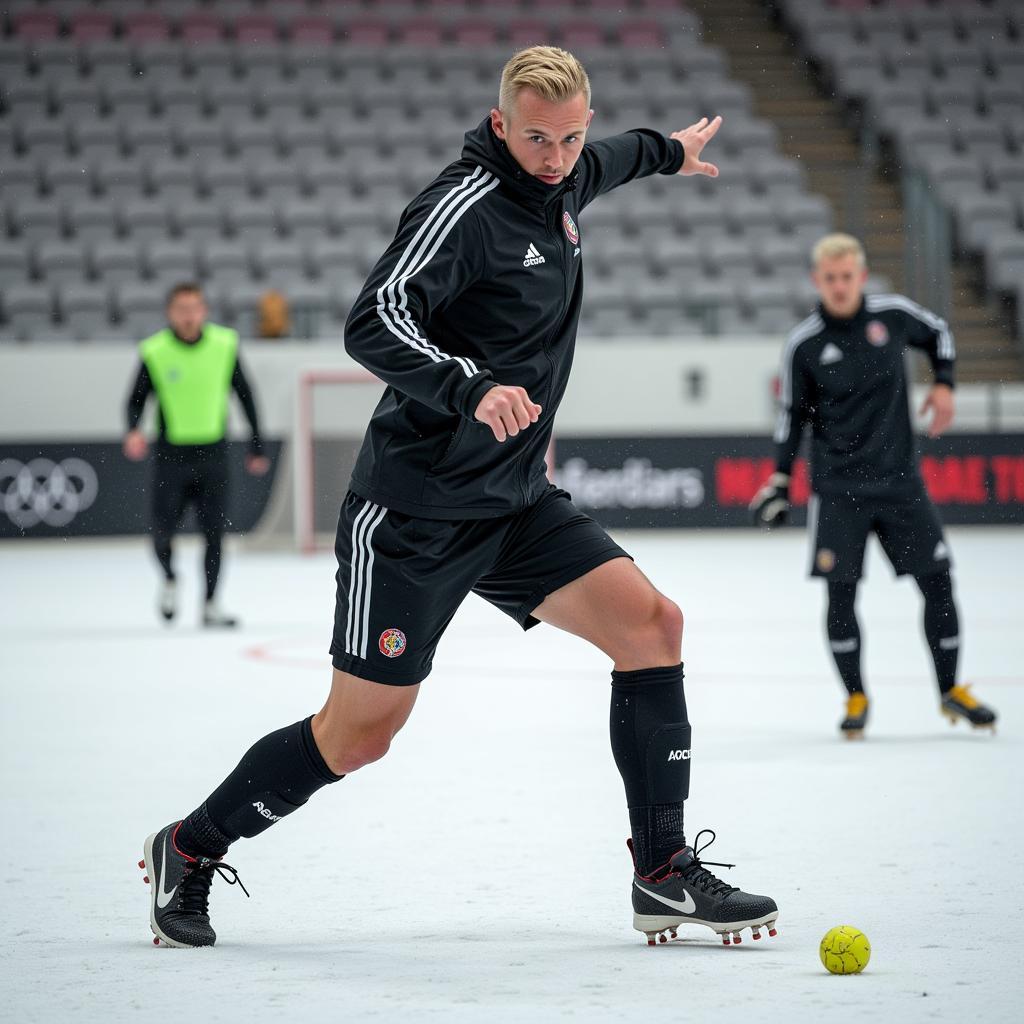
277	776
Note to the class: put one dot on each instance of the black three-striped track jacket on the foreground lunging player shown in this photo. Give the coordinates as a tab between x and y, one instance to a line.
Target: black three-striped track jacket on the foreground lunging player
482	286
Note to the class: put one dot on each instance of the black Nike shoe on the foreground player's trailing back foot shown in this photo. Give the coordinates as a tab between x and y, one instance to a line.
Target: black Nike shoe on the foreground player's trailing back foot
180	889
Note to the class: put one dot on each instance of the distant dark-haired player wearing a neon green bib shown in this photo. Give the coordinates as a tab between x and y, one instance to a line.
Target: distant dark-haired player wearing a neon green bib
193	366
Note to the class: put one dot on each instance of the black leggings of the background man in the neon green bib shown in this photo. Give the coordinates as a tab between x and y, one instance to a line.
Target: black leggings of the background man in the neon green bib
196	475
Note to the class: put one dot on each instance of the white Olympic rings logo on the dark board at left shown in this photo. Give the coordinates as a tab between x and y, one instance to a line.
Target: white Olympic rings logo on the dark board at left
48	492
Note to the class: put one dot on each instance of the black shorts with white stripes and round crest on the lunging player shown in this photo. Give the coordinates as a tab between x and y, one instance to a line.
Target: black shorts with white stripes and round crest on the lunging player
409	576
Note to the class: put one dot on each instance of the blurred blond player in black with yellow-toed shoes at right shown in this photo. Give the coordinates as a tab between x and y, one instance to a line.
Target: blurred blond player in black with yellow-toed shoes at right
843	373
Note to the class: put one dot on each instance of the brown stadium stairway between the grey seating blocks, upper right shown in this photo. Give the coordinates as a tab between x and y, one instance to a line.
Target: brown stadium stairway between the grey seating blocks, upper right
816	130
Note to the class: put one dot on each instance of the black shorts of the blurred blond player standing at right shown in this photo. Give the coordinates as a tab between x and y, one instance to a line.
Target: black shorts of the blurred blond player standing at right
909	529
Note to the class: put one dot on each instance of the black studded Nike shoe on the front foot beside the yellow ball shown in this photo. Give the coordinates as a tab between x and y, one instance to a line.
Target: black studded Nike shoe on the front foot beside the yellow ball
685	892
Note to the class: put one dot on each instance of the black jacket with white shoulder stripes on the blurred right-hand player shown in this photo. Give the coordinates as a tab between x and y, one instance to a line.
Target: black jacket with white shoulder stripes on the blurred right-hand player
848	379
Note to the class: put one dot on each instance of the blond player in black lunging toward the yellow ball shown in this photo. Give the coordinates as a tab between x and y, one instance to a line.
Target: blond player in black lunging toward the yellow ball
471	319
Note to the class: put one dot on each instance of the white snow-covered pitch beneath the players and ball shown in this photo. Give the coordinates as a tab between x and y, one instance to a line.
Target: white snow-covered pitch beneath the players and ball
480	873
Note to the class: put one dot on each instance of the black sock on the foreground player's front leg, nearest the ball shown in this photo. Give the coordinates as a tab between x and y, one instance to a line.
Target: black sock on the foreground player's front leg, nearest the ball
651	741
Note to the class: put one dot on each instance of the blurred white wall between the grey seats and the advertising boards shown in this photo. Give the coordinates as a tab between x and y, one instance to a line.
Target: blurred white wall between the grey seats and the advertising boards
637	387
